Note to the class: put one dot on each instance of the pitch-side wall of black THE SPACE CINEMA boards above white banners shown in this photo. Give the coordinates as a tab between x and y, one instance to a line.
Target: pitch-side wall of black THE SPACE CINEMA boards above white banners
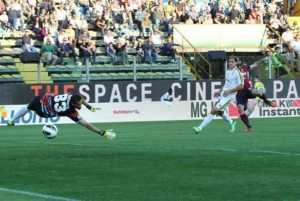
140	101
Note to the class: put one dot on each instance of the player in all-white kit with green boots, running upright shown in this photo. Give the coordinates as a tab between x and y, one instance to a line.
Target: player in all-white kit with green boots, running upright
233	83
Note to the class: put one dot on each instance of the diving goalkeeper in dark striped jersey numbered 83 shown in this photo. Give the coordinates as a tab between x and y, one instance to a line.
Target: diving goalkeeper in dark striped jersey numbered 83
49	105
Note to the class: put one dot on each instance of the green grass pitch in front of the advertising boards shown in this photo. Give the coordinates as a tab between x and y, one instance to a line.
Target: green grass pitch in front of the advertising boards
156	161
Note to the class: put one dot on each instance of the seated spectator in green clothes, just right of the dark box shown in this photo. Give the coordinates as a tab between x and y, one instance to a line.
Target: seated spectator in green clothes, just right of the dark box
48	52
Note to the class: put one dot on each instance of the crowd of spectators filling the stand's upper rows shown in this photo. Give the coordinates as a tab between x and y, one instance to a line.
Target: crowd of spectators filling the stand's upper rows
143	25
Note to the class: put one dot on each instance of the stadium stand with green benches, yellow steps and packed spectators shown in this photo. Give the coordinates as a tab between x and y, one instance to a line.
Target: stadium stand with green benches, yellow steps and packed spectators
113	36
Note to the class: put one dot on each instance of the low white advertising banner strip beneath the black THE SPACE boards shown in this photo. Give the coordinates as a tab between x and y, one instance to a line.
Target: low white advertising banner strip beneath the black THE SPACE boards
153	111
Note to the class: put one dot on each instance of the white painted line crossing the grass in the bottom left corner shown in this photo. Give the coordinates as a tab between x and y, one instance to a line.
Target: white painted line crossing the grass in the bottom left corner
32	194
